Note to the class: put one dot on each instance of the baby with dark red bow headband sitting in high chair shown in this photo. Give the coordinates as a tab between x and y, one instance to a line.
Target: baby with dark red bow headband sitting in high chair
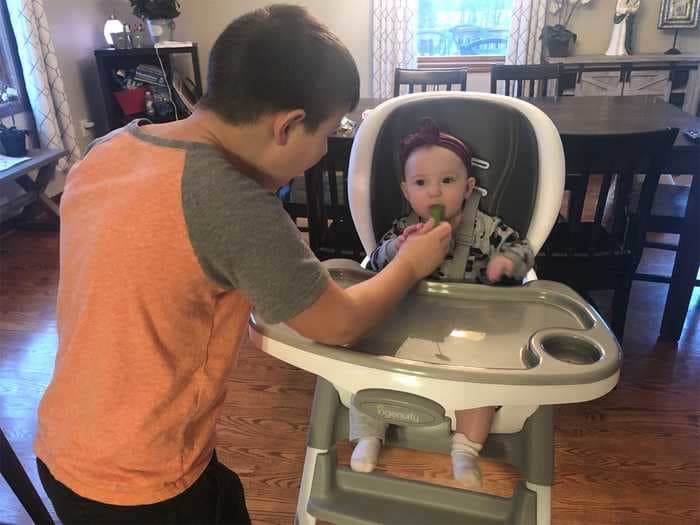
436	176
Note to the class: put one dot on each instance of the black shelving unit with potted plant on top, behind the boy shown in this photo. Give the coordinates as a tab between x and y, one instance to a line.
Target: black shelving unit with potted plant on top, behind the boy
109	59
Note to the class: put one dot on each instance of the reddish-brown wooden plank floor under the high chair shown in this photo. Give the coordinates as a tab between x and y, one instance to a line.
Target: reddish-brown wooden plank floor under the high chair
630	458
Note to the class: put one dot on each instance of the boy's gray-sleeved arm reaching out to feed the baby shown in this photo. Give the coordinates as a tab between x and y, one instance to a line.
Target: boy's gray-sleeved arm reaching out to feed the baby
268	262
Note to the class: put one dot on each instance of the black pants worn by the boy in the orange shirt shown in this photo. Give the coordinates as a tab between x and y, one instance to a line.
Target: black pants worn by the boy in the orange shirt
216	497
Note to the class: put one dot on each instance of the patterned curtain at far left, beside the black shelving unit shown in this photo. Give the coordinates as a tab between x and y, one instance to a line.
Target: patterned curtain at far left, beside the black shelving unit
43	79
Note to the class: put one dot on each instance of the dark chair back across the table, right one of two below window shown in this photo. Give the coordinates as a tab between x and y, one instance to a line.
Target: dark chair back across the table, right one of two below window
527	80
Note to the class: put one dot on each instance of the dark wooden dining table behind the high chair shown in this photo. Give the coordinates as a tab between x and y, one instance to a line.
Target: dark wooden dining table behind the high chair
602	115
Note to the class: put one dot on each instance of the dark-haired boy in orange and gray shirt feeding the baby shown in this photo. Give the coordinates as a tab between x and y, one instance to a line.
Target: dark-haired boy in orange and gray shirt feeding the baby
169	234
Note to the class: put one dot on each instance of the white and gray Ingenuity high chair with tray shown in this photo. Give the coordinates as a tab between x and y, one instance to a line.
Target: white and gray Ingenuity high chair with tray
452	346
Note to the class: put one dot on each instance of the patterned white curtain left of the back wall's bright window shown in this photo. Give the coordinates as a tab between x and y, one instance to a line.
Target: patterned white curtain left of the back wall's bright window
394	25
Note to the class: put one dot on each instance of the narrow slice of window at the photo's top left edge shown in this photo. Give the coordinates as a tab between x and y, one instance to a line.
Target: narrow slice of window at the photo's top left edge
12	94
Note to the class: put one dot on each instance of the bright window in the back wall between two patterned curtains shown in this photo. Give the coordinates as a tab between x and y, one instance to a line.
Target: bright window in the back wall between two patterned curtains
453	33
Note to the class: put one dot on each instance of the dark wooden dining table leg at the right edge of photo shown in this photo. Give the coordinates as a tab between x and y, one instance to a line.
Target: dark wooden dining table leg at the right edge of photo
685	269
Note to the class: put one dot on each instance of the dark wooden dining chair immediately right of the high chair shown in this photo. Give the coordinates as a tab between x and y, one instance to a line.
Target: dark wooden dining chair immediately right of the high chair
598	241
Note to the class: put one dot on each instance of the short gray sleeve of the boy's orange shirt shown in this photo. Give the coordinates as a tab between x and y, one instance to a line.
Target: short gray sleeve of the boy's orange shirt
244	239
